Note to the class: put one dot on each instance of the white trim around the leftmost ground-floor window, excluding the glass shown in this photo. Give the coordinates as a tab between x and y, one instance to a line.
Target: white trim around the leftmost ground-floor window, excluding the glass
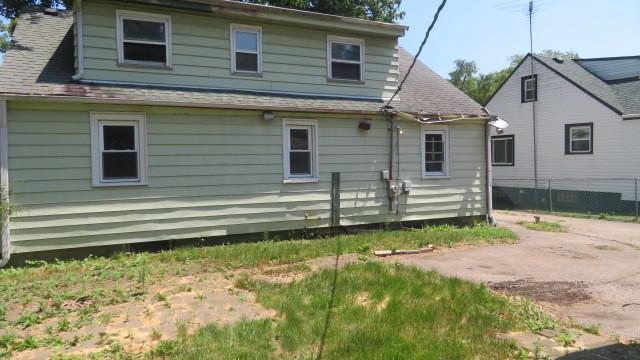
96	120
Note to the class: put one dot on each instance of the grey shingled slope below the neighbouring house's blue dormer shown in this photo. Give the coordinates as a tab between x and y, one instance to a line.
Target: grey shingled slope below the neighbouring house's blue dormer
621	95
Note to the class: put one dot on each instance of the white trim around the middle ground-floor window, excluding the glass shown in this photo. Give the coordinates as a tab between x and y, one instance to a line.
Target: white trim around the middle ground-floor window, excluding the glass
315	168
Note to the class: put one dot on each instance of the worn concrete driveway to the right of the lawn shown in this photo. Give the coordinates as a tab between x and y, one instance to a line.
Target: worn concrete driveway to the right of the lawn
591	272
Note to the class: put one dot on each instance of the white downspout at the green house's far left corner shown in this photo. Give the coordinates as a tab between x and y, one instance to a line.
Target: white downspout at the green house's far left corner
4	183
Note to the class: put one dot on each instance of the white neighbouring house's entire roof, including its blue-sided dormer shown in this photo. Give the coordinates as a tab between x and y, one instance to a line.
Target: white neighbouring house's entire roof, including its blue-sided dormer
615	82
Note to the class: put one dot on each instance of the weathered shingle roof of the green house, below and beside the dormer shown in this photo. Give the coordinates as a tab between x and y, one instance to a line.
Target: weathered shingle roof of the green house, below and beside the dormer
40	64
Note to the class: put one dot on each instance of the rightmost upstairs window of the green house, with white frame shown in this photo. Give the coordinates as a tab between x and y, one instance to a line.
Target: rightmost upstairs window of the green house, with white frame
345	59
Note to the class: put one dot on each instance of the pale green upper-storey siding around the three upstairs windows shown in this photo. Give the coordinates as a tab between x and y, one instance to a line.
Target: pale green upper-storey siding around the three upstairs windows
294	58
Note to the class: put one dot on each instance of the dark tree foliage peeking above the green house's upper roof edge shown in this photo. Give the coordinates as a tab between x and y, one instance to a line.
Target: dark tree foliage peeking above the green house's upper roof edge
379	10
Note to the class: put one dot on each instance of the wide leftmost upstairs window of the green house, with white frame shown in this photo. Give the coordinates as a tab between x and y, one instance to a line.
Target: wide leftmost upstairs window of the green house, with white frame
144	39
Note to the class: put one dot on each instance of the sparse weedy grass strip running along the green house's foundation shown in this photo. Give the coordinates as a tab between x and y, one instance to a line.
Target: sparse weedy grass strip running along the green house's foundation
67	296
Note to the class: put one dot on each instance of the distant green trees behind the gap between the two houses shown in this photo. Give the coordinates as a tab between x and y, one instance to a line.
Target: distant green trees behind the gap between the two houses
480	87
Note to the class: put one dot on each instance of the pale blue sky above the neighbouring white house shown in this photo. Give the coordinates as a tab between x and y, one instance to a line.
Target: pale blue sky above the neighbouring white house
489	31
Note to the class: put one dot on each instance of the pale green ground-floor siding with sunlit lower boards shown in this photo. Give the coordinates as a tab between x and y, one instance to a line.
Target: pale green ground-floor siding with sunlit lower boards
219	172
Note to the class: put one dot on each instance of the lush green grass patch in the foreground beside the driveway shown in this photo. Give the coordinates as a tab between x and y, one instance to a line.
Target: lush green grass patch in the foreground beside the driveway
390	310
